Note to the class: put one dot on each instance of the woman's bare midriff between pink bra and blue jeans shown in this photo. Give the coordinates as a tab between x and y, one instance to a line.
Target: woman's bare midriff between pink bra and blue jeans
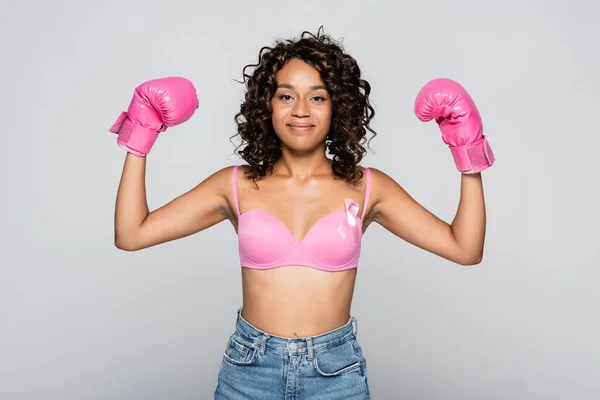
295	301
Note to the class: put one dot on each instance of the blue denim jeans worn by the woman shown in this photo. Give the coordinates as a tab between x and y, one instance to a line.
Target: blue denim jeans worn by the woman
259	366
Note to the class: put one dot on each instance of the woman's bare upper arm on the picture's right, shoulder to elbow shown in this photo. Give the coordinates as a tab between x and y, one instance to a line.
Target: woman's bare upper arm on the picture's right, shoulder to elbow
395	210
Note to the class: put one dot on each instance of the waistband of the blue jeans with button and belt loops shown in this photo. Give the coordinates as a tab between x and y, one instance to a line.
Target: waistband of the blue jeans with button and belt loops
304	345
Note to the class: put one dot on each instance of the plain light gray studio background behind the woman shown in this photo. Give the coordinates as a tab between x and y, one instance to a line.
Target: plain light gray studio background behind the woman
81	319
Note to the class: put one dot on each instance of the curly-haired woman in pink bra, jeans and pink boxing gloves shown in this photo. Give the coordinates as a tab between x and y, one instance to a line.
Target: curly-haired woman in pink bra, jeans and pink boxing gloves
300	206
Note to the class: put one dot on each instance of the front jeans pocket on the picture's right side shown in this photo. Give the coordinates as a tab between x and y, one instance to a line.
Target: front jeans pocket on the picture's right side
337	361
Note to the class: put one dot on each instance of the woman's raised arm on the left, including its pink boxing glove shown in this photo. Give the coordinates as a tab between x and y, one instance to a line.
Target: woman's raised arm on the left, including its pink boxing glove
156	106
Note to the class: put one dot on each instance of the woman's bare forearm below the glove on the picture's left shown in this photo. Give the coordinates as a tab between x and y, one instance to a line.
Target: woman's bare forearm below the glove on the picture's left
131	205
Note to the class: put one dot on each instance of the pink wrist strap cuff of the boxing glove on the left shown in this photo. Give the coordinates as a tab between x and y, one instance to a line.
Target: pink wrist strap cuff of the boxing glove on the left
133	137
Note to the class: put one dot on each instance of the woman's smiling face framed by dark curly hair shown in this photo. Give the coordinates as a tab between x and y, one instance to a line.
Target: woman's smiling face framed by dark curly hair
301	107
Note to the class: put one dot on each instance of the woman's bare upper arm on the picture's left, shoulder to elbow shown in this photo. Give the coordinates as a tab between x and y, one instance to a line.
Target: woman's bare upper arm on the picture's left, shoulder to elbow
201	207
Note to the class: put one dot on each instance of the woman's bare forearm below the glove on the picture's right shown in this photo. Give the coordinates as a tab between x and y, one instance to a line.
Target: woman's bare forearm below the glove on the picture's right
468	226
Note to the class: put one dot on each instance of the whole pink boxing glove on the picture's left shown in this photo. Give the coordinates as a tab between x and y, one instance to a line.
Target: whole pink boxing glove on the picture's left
155	106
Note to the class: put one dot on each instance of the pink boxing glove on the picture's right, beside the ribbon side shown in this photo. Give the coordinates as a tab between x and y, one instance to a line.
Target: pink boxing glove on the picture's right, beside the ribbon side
449	104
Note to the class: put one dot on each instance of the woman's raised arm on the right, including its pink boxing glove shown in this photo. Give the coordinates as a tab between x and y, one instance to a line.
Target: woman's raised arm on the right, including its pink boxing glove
462	241
